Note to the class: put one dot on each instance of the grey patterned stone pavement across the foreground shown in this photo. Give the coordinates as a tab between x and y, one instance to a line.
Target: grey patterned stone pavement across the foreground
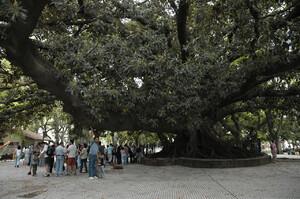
281	180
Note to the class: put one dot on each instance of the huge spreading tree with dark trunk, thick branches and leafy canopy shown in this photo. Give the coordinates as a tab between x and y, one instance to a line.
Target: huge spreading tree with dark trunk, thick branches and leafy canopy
164	66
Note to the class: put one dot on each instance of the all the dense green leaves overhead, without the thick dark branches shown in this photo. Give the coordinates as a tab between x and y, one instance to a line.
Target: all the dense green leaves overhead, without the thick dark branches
125	57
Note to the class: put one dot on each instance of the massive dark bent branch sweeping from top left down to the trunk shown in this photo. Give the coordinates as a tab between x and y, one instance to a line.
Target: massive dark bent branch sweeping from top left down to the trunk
22	52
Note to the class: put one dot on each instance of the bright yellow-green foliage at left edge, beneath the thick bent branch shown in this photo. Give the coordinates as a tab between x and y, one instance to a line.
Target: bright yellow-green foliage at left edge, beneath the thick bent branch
20	99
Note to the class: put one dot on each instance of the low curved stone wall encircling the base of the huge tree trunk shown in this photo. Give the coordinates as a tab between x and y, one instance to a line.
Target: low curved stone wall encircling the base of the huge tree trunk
208	163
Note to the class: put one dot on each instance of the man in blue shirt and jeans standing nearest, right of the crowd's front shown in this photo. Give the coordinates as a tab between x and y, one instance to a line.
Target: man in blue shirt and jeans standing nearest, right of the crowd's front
93	156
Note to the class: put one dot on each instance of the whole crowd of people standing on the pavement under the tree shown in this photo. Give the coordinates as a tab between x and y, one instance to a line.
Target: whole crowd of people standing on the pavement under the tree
76	157
